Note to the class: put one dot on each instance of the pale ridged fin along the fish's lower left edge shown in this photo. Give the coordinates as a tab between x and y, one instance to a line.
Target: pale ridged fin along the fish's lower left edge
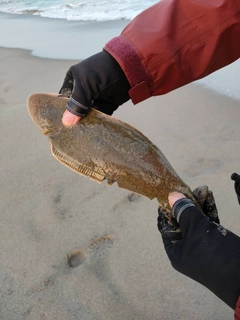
96	174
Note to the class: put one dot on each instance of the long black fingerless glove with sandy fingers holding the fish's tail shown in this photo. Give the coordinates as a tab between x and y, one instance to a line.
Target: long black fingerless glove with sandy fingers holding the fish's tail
202	250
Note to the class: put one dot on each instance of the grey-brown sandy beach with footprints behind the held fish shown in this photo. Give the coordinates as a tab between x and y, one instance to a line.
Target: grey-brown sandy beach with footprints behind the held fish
48	212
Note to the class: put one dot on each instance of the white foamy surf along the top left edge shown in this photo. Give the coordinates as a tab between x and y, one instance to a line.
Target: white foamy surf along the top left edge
91	10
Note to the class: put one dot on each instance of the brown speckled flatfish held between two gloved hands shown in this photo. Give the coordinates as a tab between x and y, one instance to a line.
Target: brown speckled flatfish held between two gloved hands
102	147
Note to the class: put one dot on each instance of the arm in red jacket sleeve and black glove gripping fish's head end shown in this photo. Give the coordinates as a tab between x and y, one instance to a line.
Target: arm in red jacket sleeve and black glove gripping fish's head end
165	47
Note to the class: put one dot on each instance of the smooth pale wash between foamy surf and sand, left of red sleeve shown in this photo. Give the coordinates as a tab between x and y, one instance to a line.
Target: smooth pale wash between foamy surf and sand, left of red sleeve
57	38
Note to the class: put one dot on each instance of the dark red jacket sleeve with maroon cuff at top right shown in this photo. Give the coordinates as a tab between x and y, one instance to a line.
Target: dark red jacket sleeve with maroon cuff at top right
176	42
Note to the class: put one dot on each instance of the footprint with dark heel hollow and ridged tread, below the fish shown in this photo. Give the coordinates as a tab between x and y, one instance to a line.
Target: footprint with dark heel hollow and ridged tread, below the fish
97	248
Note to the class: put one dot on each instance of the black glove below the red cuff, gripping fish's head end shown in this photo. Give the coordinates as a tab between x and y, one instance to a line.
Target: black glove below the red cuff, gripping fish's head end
97	82
